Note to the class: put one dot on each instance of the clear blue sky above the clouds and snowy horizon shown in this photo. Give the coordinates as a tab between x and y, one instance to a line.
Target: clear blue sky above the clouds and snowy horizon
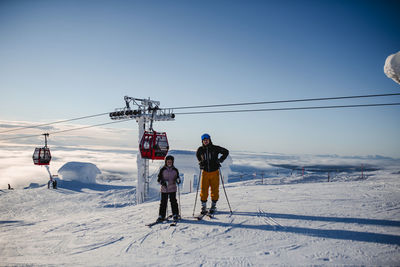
66	59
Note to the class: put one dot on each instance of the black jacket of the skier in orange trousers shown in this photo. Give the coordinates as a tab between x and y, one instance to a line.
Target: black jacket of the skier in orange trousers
208	157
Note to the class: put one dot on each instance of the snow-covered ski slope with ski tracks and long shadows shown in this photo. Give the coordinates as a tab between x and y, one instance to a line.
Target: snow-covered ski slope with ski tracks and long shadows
286	218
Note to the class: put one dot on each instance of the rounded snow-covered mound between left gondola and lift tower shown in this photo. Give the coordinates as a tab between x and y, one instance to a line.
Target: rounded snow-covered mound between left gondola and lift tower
79	171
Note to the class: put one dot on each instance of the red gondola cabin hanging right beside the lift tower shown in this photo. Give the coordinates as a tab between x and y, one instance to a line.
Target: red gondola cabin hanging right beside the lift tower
154	145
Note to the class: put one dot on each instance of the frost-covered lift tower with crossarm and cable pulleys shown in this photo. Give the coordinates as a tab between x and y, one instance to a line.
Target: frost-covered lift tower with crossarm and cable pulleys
146	112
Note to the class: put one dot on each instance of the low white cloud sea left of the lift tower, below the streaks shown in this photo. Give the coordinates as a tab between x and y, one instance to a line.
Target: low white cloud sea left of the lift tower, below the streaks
17	168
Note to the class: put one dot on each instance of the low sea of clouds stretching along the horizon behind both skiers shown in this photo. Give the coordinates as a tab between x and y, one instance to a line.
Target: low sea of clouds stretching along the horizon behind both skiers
17	168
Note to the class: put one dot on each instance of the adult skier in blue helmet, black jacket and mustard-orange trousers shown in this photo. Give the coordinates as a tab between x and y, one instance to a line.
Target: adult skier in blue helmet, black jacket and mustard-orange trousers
210	162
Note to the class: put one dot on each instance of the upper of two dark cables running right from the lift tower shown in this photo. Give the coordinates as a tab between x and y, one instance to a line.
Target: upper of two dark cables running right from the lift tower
287	101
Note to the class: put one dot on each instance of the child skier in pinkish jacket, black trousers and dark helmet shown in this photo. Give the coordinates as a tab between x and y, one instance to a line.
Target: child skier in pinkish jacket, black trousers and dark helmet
168	177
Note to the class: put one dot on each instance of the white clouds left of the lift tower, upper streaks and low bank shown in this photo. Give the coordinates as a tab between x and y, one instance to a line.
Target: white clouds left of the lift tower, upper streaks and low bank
112	150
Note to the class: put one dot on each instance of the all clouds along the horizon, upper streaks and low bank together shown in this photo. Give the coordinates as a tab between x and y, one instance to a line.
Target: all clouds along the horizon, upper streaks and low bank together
114	152
